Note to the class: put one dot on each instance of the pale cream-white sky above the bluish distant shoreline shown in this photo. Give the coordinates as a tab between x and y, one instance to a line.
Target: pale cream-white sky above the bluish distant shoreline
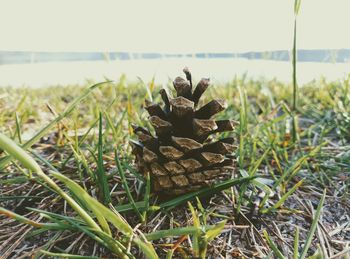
171	26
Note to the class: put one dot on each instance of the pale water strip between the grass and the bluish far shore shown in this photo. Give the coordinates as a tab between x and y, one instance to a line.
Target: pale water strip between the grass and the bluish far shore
218	70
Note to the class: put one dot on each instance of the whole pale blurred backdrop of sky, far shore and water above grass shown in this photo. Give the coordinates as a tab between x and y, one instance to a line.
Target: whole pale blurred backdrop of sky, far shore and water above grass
46	43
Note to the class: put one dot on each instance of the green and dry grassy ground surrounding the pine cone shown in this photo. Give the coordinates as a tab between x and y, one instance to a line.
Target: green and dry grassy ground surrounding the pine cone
75	192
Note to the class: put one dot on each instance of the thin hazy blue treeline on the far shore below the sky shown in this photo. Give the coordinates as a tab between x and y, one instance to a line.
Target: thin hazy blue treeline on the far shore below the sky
22	57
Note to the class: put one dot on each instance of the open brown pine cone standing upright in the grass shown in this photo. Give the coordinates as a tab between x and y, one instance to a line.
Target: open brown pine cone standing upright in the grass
181	158
